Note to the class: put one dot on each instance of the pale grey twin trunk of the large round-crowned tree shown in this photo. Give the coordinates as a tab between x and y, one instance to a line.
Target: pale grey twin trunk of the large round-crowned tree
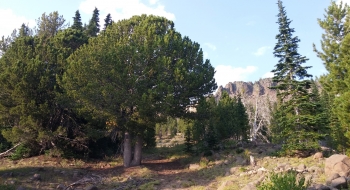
127	154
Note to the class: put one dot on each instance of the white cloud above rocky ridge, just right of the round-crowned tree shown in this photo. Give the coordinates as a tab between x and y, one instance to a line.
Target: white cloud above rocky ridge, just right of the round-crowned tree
226	73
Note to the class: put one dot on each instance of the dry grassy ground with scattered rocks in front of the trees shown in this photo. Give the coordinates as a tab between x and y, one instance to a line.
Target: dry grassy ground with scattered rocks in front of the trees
162	168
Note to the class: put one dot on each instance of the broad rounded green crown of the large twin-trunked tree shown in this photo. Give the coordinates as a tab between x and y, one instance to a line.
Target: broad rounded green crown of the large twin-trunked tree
139	71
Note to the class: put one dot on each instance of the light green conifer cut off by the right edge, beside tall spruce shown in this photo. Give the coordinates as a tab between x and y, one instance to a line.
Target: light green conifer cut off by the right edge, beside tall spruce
335	46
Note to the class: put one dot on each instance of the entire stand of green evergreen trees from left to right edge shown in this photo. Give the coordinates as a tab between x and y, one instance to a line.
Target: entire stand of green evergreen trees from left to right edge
94	90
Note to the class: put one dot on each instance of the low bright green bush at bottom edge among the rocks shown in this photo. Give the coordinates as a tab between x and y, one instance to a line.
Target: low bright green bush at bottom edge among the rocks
286	181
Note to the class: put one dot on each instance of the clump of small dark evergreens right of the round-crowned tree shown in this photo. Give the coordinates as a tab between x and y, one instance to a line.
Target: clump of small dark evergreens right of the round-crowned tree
217	122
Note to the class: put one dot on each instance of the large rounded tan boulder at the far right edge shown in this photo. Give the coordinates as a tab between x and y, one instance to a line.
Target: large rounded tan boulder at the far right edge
337	163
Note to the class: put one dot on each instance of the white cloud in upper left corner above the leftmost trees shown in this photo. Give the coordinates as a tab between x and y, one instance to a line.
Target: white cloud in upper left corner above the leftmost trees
8	25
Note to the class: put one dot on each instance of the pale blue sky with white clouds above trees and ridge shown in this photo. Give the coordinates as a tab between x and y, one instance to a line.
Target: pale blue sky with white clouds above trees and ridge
237	36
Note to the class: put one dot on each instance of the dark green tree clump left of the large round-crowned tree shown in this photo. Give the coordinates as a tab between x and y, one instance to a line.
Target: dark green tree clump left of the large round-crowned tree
35	108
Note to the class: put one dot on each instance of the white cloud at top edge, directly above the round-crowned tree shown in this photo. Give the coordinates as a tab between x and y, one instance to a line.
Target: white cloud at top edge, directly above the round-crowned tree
124	9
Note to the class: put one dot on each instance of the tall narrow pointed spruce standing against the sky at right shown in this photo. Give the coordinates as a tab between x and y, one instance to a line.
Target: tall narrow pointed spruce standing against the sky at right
295	124
